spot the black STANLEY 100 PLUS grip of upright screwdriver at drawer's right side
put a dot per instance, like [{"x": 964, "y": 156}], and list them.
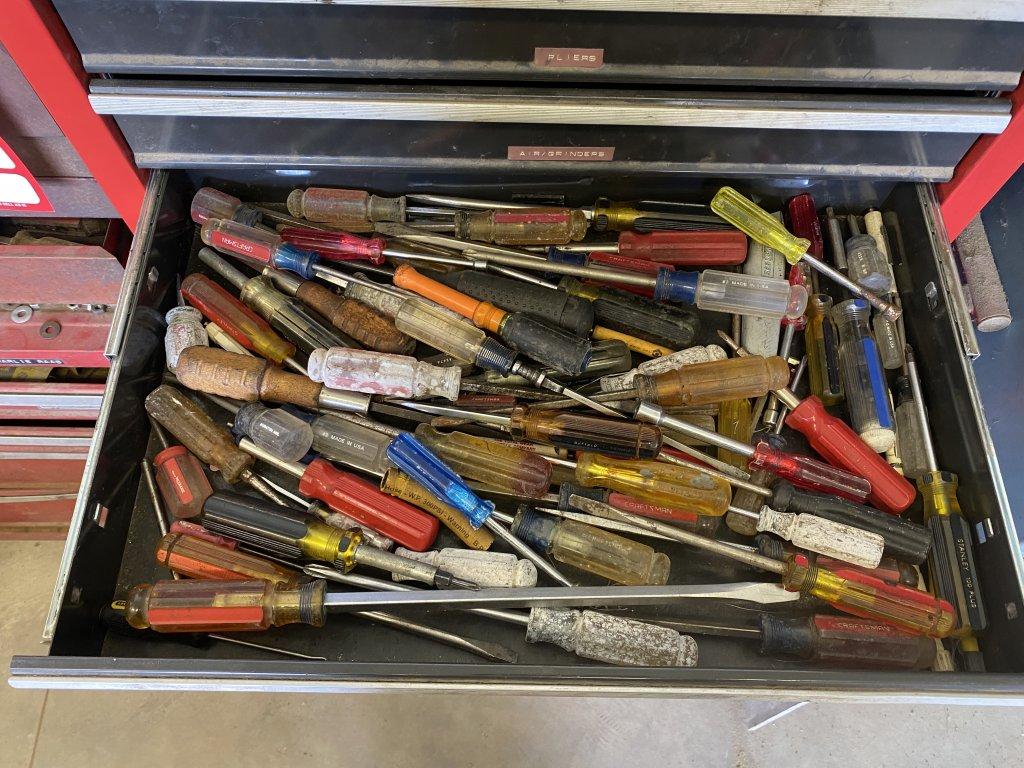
[{"x": 951, "y": 567}]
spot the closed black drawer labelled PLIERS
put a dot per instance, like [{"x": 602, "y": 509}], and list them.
[{"x": 950, "y": 46}]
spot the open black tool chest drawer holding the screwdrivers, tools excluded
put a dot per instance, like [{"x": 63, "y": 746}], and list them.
[{"x": 112, "y": 546}]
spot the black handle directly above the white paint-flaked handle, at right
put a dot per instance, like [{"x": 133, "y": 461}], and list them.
[{"x": 905, "y": 540}]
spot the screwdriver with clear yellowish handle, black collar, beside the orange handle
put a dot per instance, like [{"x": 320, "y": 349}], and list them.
[{"x": 434, "y": 326}]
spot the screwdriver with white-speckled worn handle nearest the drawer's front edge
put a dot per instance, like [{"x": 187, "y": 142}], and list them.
[{"x": 600, "y": 637}]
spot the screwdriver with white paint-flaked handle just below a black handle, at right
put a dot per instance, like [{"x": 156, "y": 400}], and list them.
[{"x": 806, "y": 532}]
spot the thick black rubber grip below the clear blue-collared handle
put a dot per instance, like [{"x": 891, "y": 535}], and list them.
[{"x": 663, "y": 324}]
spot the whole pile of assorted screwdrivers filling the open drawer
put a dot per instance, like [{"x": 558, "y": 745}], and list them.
[{"x": 568, "y": 407}]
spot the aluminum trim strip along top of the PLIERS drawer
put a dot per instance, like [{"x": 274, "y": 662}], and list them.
[{"x": 998, "y": 11}]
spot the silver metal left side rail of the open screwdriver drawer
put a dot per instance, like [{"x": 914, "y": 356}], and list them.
[{"x": 135, "y": 270}]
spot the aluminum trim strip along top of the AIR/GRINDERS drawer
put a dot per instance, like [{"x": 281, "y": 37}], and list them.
[{"x": 864, "y": 114}]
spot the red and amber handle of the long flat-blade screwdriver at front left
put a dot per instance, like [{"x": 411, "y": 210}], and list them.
[{"x": 197, "y": 606}]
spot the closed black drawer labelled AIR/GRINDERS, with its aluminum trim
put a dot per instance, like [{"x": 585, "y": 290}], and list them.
[{"x": 481, "y": 132}]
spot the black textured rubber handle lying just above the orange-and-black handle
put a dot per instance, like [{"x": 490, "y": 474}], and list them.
[{"x": 571, "y": 313}]
